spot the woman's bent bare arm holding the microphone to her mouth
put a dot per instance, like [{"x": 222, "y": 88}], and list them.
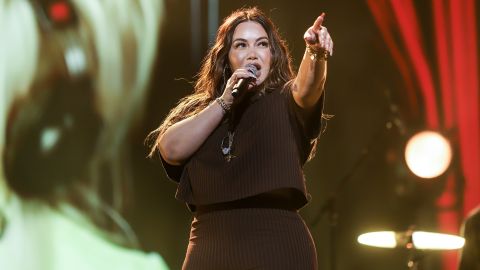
[{"x": 184, "y": 138}]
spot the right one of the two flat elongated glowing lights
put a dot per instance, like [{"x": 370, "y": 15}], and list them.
[{"x": 428, "y": 240}]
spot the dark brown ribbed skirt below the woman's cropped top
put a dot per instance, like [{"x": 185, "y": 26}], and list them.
[{"x": 250, "y": 238}]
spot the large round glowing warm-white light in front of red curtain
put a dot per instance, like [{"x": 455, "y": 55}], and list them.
[{"x": 428, "y": 154}]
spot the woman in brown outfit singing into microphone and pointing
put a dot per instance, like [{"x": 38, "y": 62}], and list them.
[{"x": 238, "y": 159}]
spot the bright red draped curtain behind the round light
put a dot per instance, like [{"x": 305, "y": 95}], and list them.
[{"x": 454, "y": 106}]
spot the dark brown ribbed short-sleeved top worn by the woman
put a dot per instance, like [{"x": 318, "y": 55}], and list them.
[{"x": 272, "y": 141}]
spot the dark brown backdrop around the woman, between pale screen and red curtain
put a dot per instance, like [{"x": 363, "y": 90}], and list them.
[{"x": 359, "y": 160}]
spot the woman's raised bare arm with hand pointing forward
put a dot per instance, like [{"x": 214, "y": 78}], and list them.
[{"x": 309, "y": 83}]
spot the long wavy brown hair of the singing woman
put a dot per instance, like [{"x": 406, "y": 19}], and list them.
[{"x": 215, "y": 69}]
